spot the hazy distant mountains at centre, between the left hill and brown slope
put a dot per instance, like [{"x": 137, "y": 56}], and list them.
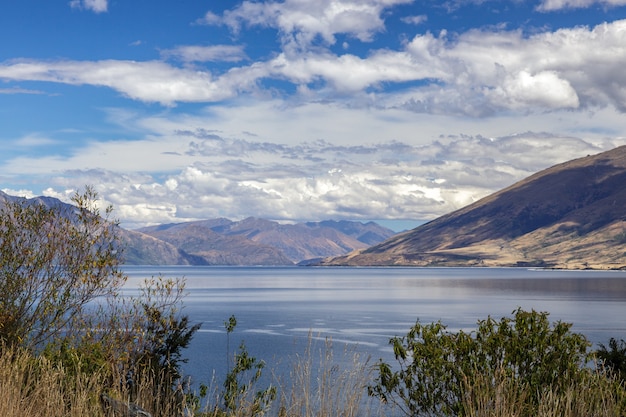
[{"x": 254, "y": 241}]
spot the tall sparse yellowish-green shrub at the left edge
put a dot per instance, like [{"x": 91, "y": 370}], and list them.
[{"x": 54, "y": 260}]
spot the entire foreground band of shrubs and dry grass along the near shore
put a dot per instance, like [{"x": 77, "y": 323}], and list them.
[{"x": 72, "y": 346}]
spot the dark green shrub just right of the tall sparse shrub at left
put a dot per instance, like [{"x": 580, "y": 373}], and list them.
[{"x": 153, "y": 335}]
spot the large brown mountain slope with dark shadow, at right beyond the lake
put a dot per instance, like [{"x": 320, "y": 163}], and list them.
[{"x": 572, "y": 215}]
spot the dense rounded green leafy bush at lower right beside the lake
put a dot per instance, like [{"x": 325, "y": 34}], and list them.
[{"x": 437, "y": 366}]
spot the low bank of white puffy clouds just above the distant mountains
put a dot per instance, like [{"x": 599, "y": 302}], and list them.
[{"x": 377, "y": 181}]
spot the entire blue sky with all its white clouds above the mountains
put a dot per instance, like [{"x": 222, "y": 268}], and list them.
[{"x": 298, "y": 110}]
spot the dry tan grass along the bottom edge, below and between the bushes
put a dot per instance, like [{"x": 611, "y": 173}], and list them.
[{"x": 317, "y": 386}]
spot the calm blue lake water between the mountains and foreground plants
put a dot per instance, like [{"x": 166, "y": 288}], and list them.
[{"x": 361, "y": 308}]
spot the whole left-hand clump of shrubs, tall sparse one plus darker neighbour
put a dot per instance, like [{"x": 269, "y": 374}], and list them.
[{"x": 60, "y": 300}]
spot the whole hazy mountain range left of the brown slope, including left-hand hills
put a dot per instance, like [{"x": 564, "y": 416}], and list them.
[{"x": 251, "y": 241}]
